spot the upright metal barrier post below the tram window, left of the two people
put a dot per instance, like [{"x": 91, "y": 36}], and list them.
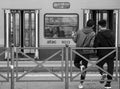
[{"x": 66, "y": 68}]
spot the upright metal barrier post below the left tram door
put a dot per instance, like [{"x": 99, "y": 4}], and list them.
[{"x": 12, "y": 67}]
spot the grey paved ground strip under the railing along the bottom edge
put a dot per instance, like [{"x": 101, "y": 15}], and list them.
[{"x": 56, "y": 85}]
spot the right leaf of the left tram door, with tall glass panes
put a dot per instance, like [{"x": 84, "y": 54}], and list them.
[{"x": 29, "y": 32}]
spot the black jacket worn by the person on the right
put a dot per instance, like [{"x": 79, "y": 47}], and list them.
[{"x": 104, "y": 38}]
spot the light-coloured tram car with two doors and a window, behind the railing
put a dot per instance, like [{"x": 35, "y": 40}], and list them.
[{"x": 51, "y": 23}]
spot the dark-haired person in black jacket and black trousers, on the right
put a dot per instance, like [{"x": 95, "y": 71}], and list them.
[{"x": 105, "y": 38}]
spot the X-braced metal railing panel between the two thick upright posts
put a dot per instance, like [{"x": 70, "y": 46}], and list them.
[{"x": 38, "y": 64}]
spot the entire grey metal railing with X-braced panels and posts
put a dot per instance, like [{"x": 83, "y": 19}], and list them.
[{"x": 66, "y": 75}]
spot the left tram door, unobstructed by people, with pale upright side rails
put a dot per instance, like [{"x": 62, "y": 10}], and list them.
[{"x": 21, "y": 29}]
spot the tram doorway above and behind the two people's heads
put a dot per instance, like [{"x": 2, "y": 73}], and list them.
[{"x": 109, "y": 15}]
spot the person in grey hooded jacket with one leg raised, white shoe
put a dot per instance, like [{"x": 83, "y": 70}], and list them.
[{"x": 84, "y": 38}]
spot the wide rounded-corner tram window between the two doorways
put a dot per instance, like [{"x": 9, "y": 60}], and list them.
[{"x": 60, "y": 25}]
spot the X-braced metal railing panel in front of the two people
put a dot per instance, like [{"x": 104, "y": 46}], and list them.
[{"x": 73, "y": 50}]
